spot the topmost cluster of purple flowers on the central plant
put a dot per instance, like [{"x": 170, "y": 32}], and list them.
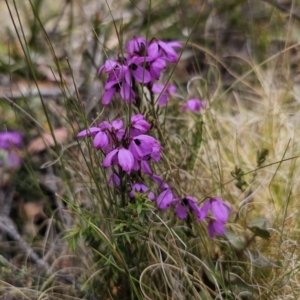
[{"x": 142, "y": 62}]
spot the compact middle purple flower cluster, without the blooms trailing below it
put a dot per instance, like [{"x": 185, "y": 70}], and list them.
[{"x": 130, "y": 148}]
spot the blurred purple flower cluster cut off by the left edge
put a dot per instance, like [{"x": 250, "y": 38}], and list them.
[{"x": 9, "y": 141}]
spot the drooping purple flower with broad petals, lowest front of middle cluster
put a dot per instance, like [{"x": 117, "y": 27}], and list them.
[{"x": 121, "y": 157}]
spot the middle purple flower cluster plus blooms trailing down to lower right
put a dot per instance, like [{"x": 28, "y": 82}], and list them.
[{"x": 129, "y": 149}]
